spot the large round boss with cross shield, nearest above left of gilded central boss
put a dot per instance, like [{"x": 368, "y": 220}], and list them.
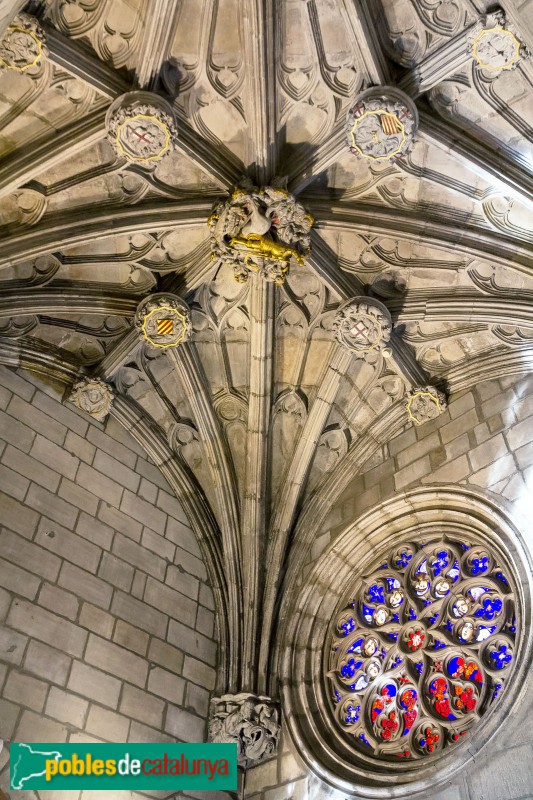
[{"x": 141, "y": 127}]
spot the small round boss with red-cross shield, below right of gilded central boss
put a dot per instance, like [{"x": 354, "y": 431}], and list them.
[{"x": 363, "y": 325}]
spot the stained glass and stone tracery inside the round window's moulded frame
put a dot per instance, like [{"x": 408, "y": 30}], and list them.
[{"x": 423, "y": 649}]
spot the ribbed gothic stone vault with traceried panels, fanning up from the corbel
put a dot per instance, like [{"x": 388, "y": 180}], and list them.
[{"x": 261, "y": 411}]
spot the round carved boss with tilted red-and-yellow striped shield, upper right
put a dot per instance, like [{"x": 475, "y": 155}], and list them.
[{"x": 381, "y": 124}]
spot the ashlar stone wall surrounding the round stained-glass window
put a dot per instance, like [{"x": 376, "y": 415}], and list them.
[{"x": 484, "y": 440}]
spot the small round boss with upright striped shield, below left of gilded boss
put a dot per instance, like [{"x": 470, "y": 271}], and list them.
[{"x": 163, "y": 320}]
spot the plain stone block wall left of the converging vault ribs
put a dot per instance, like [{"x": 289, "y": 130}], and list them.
[{"x": 107, "y": 616}]
